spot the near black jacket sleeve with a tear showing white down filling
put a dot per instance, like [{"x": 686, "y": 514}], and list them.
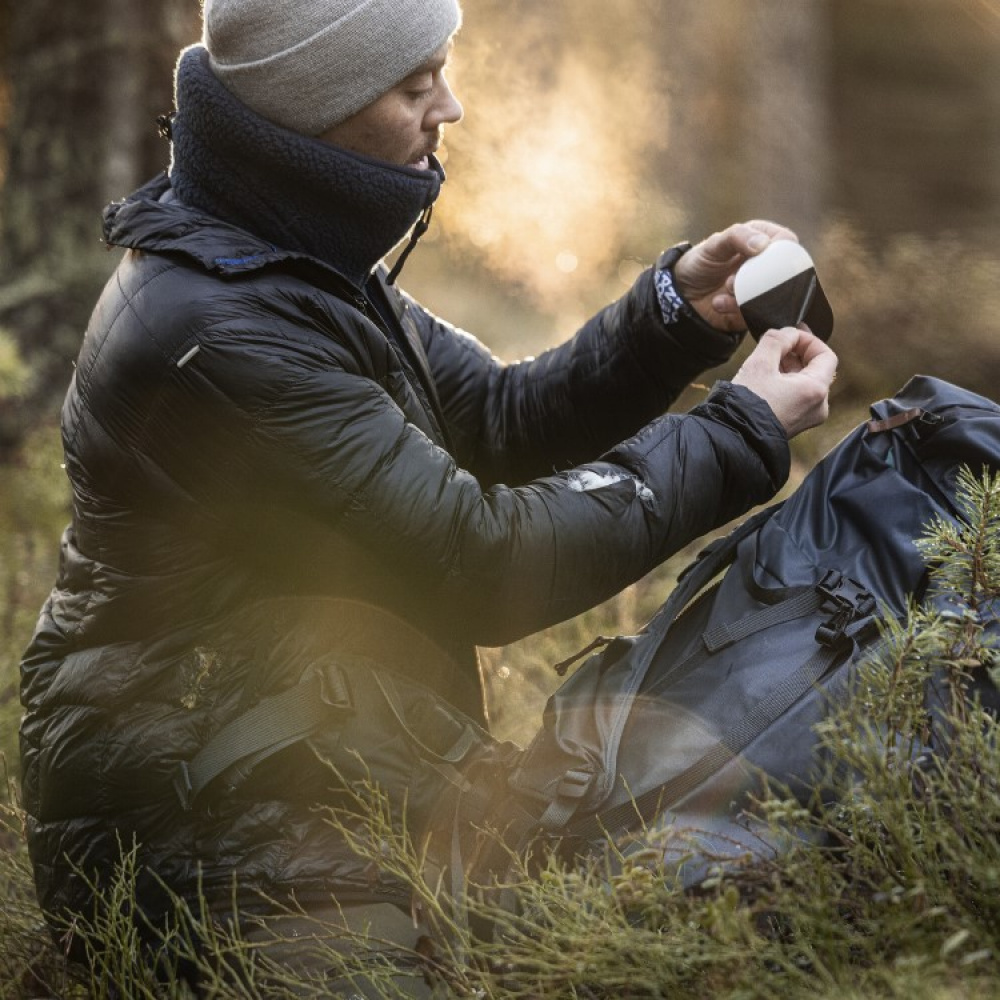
[{"x": 490, "y": 563}]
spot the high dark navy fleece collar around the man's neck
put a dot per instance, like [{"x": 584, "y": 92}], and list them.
[{"x": 290, "y": 191}]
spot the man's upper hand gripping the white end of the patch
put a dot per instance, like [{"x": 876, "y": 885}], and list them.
[{"x": 704, "y": 275}]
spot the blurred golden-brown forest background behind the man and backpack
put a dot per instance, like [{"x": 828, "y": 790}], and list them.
[{"x": 596, "y": 134}]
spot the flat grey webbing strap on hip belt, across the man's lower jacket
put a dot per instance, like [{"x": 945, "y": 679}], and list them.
[{"x": 271, "y": 725}]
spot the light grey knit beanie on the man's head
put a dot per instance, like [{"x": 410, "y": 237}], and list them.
[{"x": 309, "y": 64}]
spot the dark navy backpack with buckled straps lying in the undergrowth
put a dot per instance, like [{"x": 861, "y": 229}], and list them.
[{"x": 679, "y": 726}]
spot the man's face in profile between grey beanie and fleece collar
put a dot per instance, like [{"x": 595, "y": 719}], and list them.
[{"x": 404, "y": 126}]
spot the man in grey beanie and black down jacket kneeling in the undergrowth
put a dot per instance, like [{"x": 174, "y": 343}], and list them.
[{"x": 266, "y": 439}]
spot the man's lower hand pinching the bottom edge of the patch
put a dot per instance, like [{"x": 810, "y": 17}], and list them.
[{"x": 791, "y": 370}]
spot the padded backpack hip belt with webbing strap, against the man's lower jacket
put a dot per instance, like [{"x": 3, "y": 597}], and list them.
[{"x": 337, "y": 643}]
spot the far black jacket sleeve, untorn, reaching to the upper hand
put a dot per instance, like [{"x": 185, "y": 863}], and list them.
[{"x": 512, "y": 422}]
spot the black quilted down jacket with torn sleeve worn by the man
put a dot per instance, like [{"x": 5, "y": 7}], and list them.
[{"x": 242, "y": 425}]
